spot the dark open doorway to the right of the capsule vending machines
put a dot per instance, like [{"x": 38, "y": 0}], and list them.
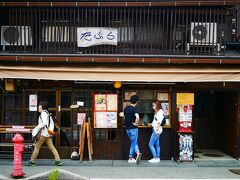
[{"x": 215, "y": 125}]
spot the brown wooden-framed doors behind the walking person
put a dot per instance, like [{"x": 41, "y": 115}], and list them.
[{"x": 59, "y": 105}]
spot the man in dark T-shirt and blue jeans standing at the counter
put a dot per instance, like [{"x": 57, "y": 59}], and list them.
[{"x": 131, "y": 118}]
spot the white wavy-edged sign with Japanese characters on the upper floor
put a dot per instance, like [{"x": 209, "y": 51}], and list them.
[{"x": 96, "y": 36}]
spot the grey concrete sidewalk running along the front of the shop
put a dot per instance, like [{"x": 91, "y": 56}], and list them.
[{"x": 121, "y": 169}]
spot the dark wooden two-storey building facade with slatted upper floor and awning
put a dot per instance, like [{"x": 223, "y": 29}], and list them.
[{"x": 159, "y": 47}]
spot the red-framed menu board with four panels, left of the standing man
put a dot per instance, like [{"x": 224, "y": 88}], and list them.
[{"x": 105, "y": 110}]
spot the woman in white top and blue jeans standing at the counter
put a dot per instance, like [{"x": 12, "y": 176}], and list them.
[{"x": 154, "y": 142}]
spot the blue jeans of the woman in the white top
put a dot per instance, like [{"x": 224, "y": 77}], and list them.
[{"x": 155, "y": 141}]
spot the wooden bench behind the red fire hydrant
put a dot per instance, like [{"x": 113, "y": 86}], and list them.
[{"x": 7, "y": 147}]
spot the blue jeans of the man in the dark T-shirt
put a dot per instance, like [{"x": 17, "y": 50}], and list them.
[{"x": 133, "y": 136}]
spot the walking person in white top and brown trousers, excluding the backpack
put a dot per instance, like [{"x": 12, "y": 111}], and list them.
[{"x": 45, "y": 137}]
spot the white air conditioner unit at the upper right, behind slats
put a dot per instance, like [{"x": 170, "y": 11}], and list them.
[{"x": 203, "y": 33}]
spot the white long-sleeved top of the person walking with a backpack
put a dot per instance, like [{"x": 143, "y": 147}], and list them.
[{"x": 42, "y": 122}]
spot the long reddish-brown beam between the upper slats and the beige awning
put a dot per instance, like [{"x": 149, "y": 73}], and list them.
[{"x": 116, "y": 60}]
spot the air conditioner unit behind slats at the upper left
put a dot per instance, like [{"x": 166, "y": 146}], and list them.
[{"x": 16, "y": 35}]
